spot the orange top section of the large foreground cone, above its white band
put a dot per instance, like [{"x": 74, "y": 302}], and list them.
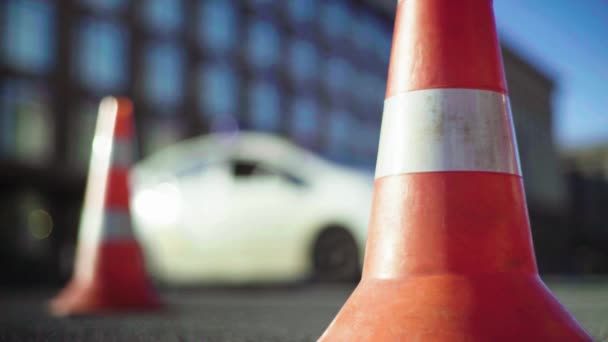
[{"x": 445, "y": 44}]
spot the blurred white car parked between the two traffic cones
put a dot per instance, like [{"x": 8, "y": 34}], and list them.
[{"x": 249, "y": 208}]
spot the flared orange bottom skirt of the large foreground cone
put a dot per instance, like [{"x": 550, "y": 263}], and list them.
[{"x": 496, "y": 307}]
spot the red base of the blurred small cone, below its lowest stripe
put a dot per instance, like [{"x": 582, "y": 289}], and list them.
[{"x": 119, "y": 283}]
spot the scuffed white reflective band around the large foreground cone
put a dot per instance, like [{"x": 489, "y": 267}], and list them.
[{"x": 447, "y": 130}]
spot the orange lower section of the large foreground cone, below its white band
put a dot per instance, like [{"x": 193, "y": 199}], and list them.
[{"x": 449, "y": 258}]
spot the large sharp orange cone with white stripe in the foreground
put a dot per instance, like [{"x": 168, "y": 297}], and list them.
[{"x": 449, "y": 254}]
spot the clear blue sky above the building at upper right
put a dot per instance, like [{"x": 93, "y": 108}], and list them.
[{"x": 568, "y": 41}]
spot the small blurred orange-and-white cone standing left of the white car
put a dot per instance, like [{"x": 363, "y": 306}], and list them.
[{"x": 109, "y": 272}]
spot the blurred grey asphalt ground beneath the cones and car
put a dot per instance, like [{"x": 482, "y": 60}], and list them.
[{"x": 259, "y": 314}]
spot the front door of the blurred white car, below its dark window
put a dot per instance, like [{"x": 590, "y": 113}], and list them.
[{"x": 266, "y": 206}]
